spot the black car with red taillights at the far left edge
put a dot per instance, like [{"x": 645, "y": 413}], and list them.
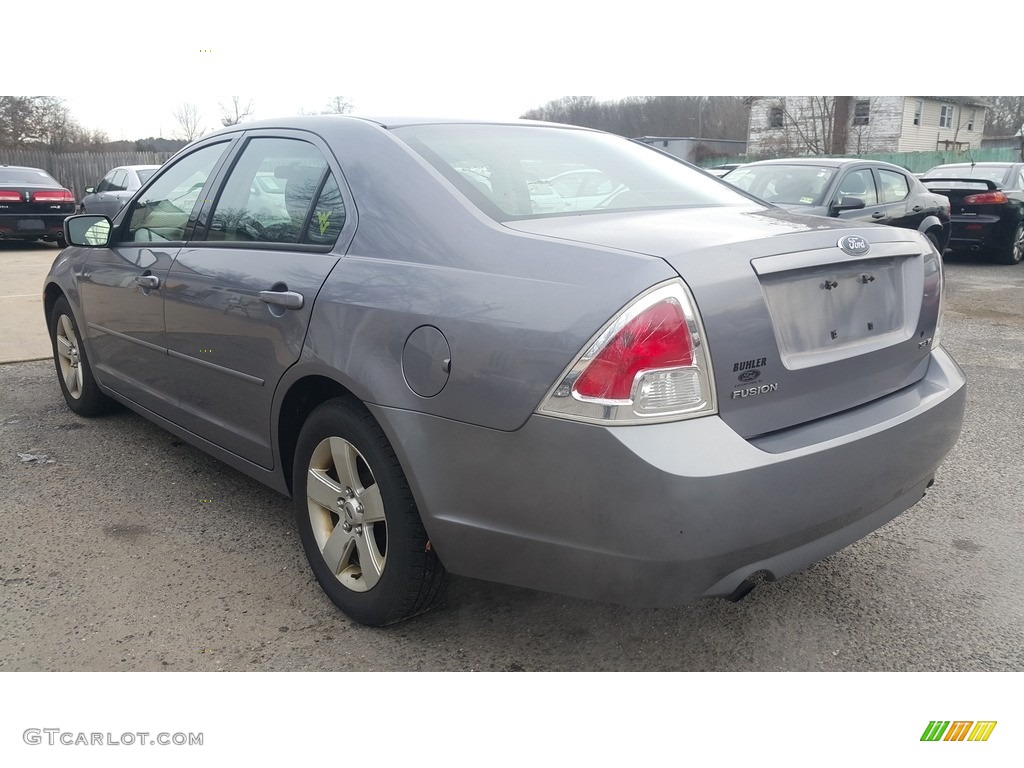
[{"x": 33, "y": 205}]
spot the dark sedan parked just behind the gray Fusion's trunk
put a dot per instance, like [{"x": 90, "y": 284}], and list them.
[{"x": 856, "y": 190}]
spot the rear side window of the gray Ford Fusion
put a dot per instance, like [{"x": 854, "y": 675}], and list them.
[{"x": 281, "y": 191}]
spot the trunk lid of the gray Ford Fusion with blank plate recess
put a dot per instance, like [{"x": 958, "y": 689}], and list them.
[{"x": 804, "y": 317}]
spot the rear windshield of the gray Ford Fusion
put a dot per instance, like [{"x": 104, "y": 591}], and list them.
[{"x": 517, "y": 173}]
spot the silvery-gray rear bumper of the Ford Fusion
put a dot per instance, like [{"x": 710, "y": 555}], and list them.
[{"x": 663, "y": 515}]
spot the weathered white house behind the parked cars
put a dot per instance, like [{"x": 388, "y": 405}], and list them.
[{"x": 860, "y": 125}]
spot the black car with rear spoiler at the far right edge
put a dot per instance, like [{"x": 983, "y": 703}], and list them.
[{"x": 988, "y": 202}]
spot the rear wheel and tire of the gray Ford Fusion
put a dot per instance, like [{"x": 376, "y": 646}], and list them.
[{"x": 358, "y": 521}]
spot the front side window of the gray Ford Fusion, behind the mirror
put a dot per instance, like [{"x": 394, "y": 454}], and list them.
[{"x": 163, "y": 212}]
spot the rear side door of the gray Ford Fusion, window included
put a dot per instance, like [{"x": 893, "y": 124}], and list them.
[{"x": 240, "y": 296}]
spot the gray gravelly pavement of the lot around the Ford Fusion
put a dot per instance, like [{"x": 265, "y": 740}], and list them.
[{"x": 122, "y": 548}]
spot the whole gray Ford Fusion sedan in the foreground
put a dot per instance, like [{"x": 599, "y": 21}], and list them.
[{"x": 648, "y": 400}]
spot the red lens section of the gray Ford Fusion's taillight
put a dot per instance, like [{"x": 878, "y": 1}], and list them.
[{"x": 657, "y": 338}]
